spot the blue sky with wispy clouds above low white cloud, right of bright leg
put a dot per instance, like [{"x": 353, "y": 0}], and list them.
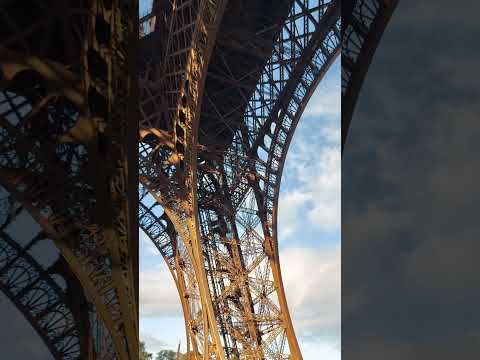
[{"x": 310, "y": 196}]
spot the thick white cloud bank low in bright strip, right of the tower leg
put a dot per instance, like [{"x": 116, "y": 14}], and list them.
[{"x": 312, "y": 286}]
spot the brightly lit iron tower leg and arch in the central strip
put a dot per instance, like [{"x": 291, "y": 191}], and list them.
[{"x": 222, "y": 88}]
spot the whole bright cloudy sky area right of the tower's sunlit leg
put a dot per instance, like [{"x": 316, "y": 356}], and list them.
[{"x": 309, "y": 213}]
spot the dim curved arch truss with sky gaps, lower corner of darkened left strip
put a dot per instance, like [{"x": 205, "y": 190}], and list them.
[{"x": 50, "y": 297}]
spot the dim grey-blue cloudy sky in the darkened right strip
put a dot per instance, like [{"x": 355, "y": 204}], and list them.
[{"x": 410, "y": 169}]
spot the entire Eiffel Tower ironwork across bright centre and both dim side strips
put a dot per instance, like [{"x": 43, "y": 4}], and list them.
[{"x": 222, "y": 86}]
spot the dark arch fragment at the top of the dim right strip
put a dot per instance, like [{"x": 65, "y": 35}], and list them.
[{"x": 364, "y": 22}]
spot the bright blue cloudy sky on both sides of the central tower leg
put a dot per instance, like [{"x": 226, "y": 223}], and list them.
[{"x": 309, "y": 239}]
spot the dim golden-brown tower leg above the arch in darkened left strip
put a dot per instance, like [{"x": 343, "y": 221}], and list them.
[{"x": 64, "y": 110}]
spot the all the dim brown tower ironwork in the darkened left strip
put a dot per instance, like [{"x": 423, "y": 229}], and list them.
[{"x": 66, "y": 76}]
